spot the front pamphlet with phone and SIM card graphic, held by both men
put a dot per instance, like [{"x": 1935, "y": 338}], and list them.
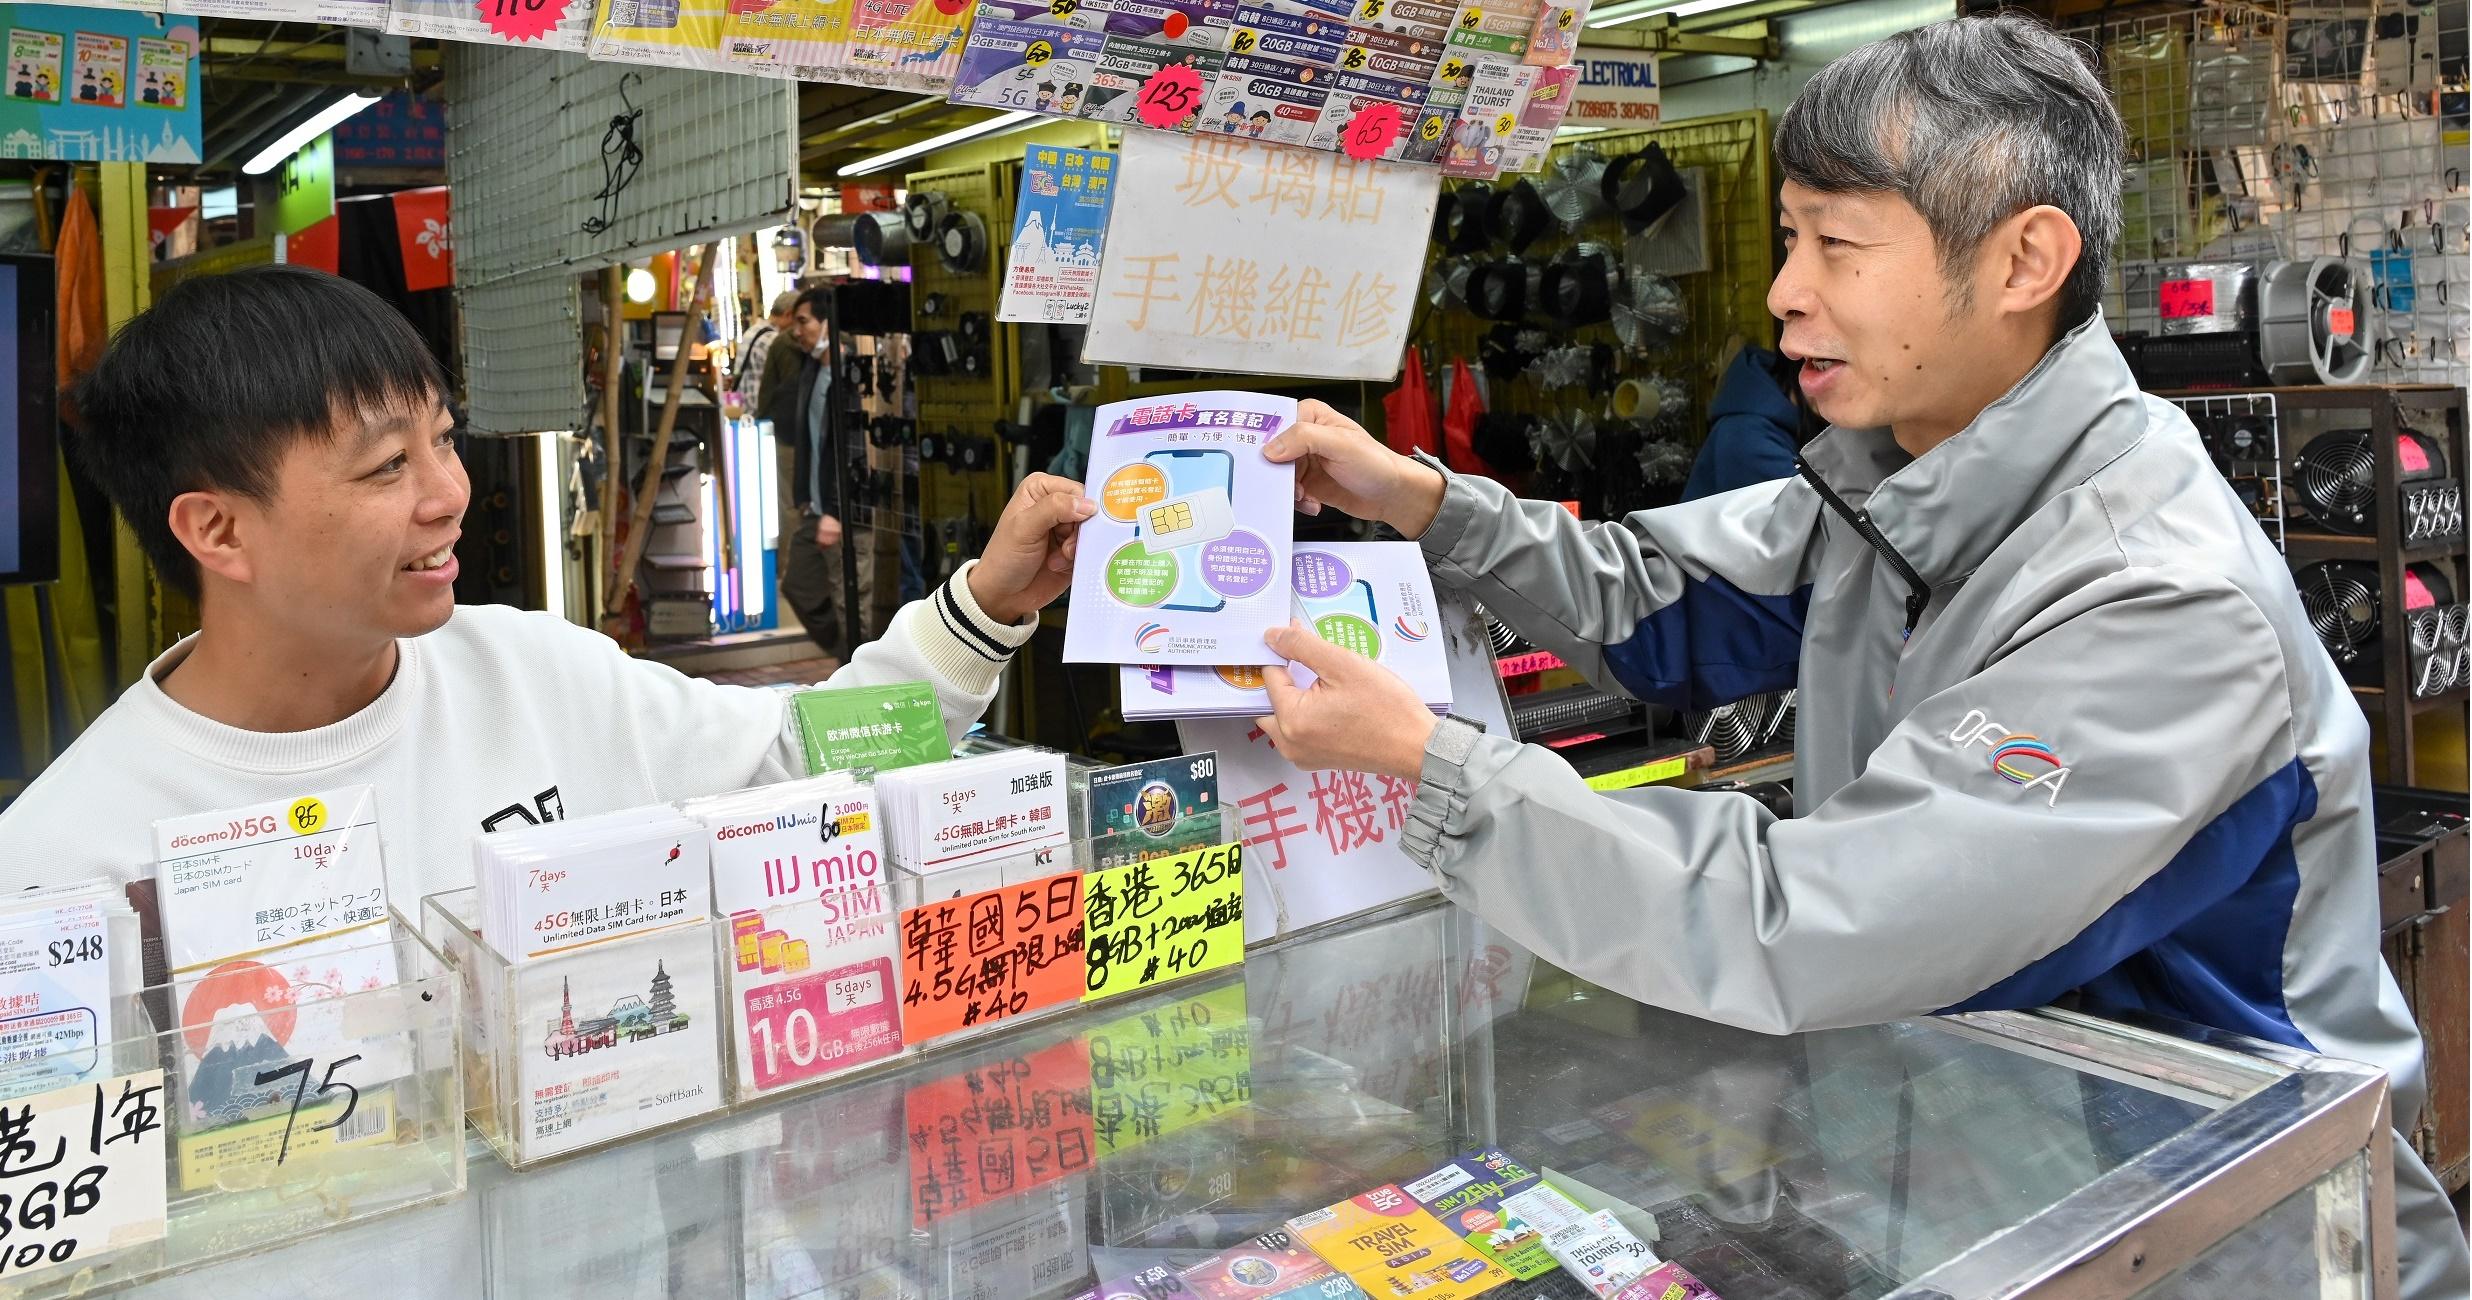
[{"x": 1188, "y": 555}]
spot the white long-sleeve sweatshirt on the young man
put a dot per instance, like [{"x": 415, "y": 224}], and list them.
[{"x": 496, "y": 718}]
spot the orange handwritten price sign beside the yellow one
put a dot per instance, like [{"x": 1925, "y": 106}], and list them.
[{"x": 993, "y": 955}]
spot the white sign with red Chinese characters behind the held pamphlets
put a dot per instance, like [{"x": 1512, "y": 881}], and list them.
[{"x": 1326, "y": 844}]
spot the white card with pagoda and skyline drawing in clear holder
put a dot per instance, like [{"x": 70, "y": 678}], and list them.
[{"x": 614, "y": 1039}]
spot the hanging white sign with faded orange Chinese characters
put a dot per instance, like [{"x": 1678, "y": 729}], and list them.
[{"x": 1250, "y": 258}]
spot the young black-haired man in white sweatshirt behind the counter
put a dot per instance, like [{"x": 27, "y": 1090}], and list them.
[{"x": 283, "y": 446}]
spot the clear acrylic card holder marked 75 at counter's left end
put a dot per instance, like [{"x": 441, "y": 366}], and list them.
[{"x": 286, "y": 1108}]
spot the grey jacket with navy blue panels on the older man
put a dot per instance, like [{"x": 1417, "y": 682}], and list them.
[{"x": 2110, "y": 760}]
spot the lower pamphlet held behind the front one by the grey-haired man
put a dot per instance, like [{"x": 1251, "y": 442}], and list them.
[{"x": 1371, "y": 597}]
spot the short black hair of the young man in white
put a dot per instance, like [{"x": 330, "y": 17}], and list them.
[{"x": 221, "y": 377}]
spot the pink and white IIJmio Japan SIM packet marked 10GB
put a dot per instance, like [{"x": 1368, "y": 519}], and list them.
[{"x": 800, "y": 879}]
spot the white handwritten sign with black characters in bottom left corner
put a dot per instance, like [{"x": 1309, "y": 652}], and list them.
[{"x": 80, "y": 1173}]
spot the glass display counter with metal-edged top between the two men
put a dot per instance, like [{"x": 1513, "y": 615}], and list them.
[{"x": 1949, "y": 1158}]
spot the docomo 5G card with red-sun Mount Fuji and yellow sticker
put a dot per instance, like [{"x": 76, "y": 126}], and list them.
[{"x": 276, "y": 918}]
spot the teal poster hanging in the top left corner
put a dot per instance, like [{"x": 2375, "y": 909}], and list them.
[{"x": 98, "y": 88}]
